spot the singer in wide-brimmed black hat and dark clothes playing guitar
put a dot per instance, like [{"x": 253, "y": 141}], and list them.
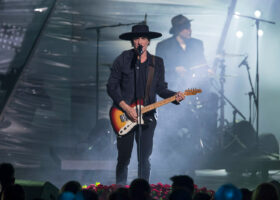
[{"x": 128, "y": 82}]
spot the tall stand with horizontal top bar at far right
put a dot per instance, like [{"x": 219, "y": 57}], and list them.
[{"x": 257, "y": 21}]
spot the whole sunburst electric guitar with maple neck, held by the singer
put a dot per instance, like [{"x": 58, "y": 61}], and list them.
[{"x": 122, "y": 124}]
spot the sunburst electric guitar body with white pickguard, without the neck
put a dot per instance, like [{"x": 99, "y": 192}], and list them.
[{"x": 120, "y": 122}]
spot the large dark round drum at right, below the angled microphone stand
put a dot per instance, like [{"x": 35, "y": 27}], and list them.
[{"x": 240, "y": 139}]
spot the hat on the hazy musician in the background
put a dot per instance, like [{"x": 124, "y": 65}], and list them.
[{"x": 179, "y": 22}]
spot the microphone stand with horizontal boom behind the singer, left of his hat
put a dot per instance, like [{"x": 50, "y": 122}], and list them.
[{"x": 98, "y": 28}]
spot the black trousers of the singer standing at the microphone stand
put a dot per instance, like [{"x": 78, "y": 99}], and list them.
[{"x": 125, "y": 146}]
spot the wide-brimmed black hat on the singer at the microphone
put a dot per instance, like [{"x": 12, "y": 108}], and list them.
[{"x": 139, "y": 31}]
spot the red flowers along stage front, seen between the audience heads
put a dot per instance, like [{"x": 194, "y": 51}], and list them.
[{"x": 159, "y": 191}]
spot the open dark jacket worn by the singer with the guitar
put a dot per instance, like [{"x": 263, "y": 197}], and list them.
[{"x": 121, "y": 83}]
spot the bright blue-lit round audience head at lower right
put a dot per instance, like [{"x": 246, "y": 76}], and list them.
[{"x": 228, "y": 192}]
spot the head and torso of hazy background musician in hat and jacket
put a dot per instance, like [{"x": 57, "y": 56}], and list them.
[{"x": 181, "y": 53}]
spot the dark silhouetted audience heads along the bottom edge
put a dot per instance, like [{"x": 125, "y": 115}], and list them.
[{"x": 182, "y": 188}]
